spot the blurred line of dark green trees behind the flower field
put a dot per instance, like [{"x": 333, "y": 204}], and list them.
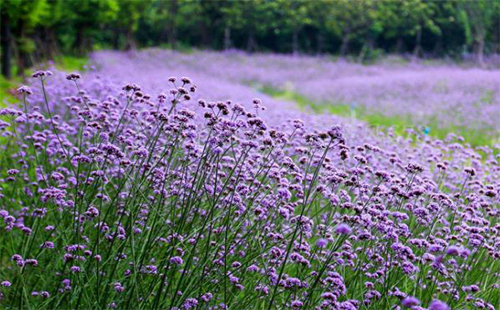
[{"x": 37, "y": 30}]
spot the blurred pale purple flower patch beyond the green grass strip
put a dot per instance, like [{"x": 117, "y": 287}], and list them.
[{"x": 447, "y": 95}]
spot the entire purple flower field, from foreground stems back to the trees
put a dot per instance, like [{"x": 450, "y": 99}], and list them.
[{"x": 163, "y": 180}]
